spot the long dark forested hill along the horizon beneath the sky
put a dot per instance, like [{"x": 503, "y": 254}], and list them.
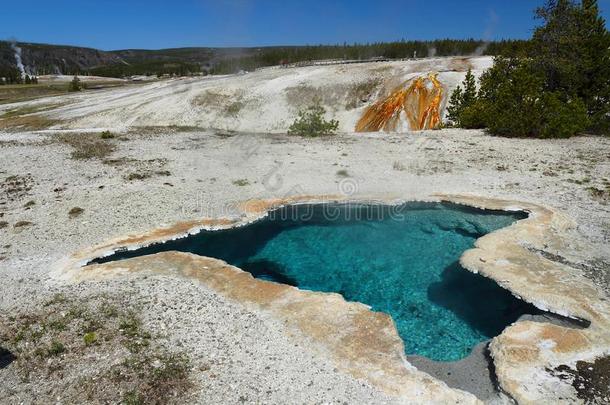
[{"x": 38, "y": 59}]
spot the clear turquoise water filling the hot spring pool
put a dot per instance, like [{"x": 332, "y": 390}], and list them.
[{"x": 399, "y": 260}]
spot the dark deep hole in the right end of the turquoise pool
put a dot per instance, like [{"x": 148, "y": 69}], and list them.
[{"x": 478, "y": 301}]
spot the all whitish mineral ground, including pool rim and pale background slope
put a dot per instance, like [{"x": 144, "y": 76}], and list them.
[{"x": 268, "y": 342}]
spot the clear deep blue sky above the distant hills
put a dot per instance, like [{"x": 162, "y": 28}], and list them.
[{"x": 153, "y": 24}]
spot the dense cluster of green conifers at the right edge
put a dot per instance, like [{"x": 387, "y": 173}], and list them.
[{"x": 561, "y": 89}]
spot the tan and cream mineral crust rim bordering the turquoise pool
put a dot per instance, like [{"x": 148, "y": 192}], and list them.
[{"x": 521, "y": 353}]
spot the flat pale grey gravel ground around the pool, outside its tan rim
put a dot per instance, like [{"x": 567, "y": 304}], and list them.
[{"x": 155, "y": 179}]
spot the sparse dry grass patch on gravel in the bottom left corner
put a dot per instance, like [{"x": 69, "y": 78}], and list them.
[{"x": 95, "y": 350}]
